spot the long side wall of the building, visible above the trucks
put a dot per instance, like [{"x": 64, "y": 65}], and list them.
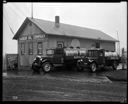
[{"x": 84, "y": 43}]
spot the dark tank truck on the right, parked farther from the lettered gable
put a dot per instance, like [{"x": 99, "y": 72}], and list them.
[{"x": 99, "y": 58}]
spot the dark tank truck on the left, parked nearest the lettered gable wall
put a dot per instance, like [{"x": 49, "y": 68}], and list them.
[{"x": 64, "y": 57}]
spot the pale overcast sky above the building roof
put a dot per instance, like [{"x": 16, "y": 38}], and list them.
[{"x": 110, "y": 18}]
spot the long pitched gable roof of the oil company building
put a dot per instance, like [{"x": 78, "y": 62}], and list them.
[{"x": 66, "y": 30}]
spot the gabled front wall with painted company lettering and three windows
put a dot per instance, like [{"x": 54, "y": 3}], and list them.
[{"x": 26, "y": 59}]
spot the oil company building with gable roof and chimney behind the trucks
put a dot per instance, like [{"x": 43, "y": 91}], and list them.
[{"x": 36, "y": 35}]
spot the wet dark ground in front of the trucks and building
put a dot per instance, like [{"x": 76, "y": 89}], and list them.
[{"x": 62, "y": 86}]
